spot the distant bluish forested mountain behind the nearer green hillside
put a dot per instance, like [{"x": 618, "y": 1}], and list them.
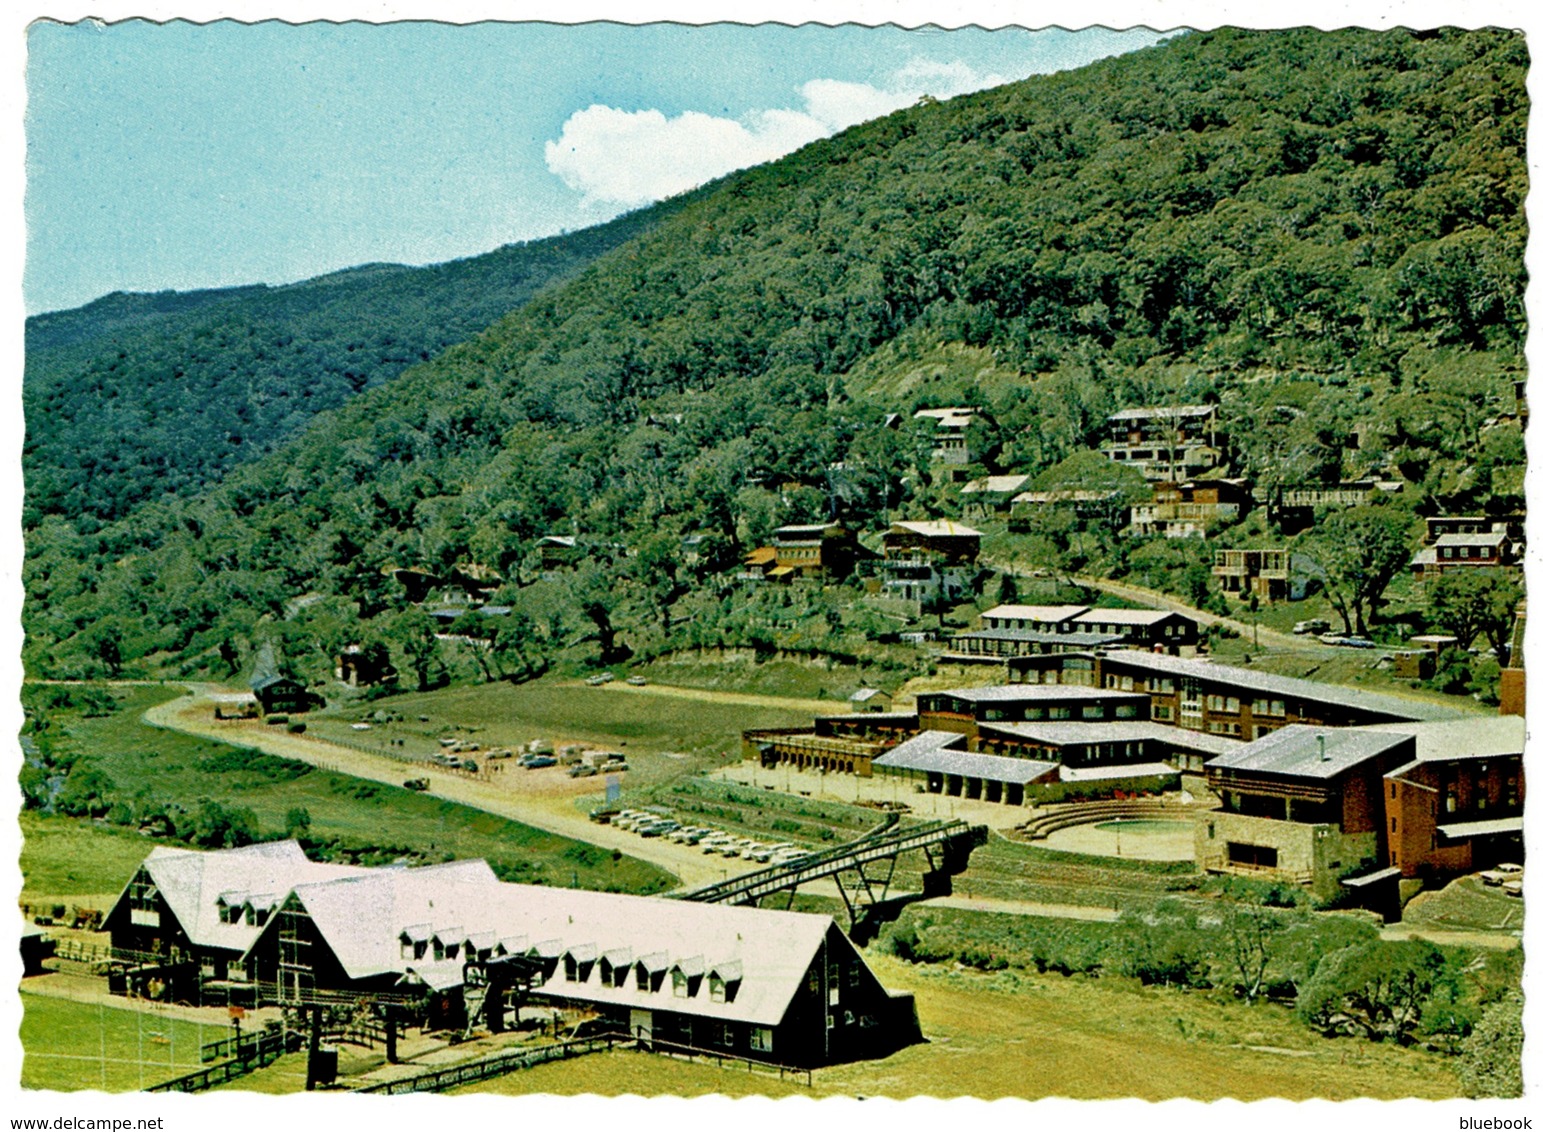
[{"x": 137, "y": 396}]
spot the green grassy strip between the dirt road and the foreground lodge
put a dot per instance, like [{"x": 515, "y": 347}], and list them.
[{"x": 370, "y": 821}]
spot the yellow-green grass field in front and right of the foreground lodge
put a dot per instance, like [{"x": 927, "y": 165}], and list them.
[{"x": 1015, "y": 1036}]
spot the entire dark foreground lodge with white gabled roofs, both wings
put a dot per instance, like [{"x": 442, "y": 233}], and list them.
[{"x": 263, "y": 925}]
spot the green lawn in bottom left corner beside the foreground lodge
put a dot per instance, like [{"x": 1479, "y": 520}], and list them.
[{"x": 106, "y": 1046}]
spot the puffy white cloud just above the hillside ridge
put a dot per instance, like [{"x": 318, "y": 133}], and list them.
[{"x": 633, "y": 158}]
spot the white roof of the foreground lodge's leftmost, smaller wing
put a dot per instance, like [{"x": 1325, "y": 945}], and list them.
[{"x": 192, "y": 884}]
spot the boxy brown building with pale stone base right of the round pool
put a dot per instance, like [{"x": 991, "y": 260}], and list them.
[{"x": 1305, "y": 804}]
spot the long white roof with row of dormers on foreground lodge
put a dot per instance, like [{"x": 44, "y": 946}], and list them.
[{"x": 363, "y": 920}]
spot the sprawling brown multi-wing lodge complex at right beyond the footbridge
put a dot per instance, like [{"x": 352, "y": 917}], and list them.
[{"x": 1318, "y": 784}]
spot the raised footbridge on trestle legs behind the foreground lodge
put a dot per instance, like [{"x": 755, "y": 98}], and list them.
[{"x": 863, "y": 871}]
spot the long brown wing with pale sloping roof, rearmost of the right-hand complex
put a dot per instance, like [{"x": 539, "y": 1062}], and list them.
[{"x": 1221, "y": 699}]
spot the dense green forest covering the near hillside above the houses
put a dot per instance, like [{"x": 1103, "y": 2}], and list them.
[{"x": 1323, "y": 234}]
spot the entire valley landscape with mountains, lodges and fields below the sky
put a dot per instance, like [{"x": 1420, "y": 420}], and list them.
[{"x": 1036, "y": 573}]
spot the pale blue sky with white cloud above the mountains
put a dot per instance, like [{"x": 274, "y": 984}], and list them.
[{"x": 180, "y": 155}]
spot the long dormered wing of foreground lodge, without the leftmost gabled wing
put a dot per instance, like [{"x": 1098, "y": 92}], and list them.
[{"x": 777, "y": 986}]
